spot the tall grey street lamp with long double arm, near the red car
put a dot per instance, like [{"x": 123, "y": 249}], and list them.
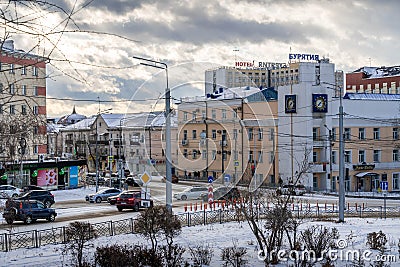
[{"x": 168, "y": 184}]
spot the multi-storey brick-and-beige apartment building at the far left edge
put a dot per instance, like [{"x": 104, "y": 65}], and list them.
[{"x": 22, "y": 104}]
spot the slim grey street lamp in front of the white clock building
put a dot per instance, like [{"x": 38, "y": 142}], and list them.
[{"x": 341, "y": 156}]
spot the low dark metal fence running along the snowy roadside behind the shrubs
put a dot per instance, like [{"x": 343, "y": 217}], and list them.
[{"x": 38, "y": 238}]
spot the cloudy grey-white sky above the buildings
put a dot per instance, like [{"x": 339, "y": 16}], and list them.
[{"x": 92, "y": 59}]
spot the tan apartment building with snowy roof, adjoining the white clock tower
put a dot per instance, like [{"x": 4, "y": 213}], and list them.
[{"x": 230, "y": 137}]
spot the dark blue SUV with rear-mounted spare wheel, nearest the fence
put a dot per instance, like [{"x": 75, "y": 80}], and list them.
[{"x": 27, "y": 211}]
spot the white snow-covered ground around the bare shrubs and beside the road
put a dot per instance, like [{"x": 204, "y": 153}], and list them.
[{"x": 353, "y": 233}]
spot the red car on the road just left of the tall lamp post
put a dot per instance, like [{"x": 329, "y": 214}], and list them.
[{"x": 132, "y": 200}]
